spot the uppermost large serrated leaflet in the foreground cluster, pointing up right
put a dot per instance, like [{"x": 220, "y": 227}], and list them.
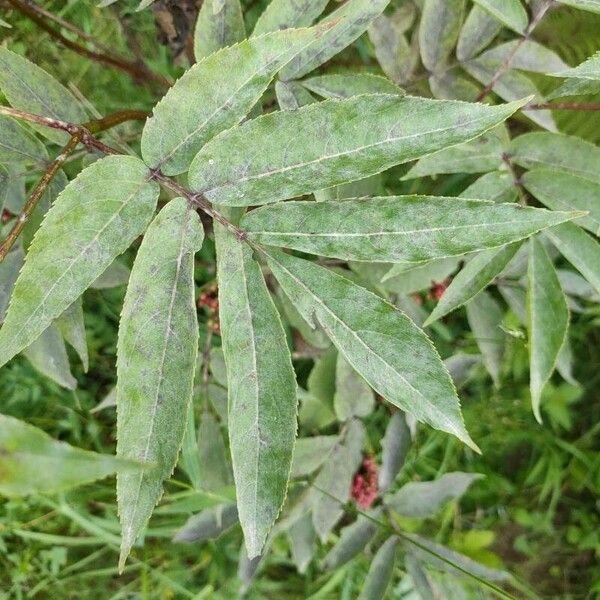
[{"x": 214, "y": 95}]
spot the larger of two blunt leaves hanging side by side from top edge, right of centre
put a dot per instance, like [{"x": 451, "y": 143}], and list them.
[{"x": 441, "y": 21}]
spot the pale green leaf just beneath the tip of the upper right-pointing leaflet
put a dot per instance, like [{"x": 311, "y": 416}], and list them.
[{"x": 480, "y": 155}]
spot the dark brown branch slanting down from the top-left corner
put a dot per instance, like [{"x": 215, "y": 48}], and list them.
[{"x": 139, "y": 72}]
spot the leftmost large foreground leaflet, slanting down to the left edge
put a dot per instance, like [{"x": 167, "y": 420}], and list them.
[{"x": 93, "y": 220}]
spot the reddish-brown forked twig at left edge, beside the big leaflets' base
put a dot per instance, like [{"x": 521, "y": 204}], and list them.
[{"x": 78, "y": 134}]
